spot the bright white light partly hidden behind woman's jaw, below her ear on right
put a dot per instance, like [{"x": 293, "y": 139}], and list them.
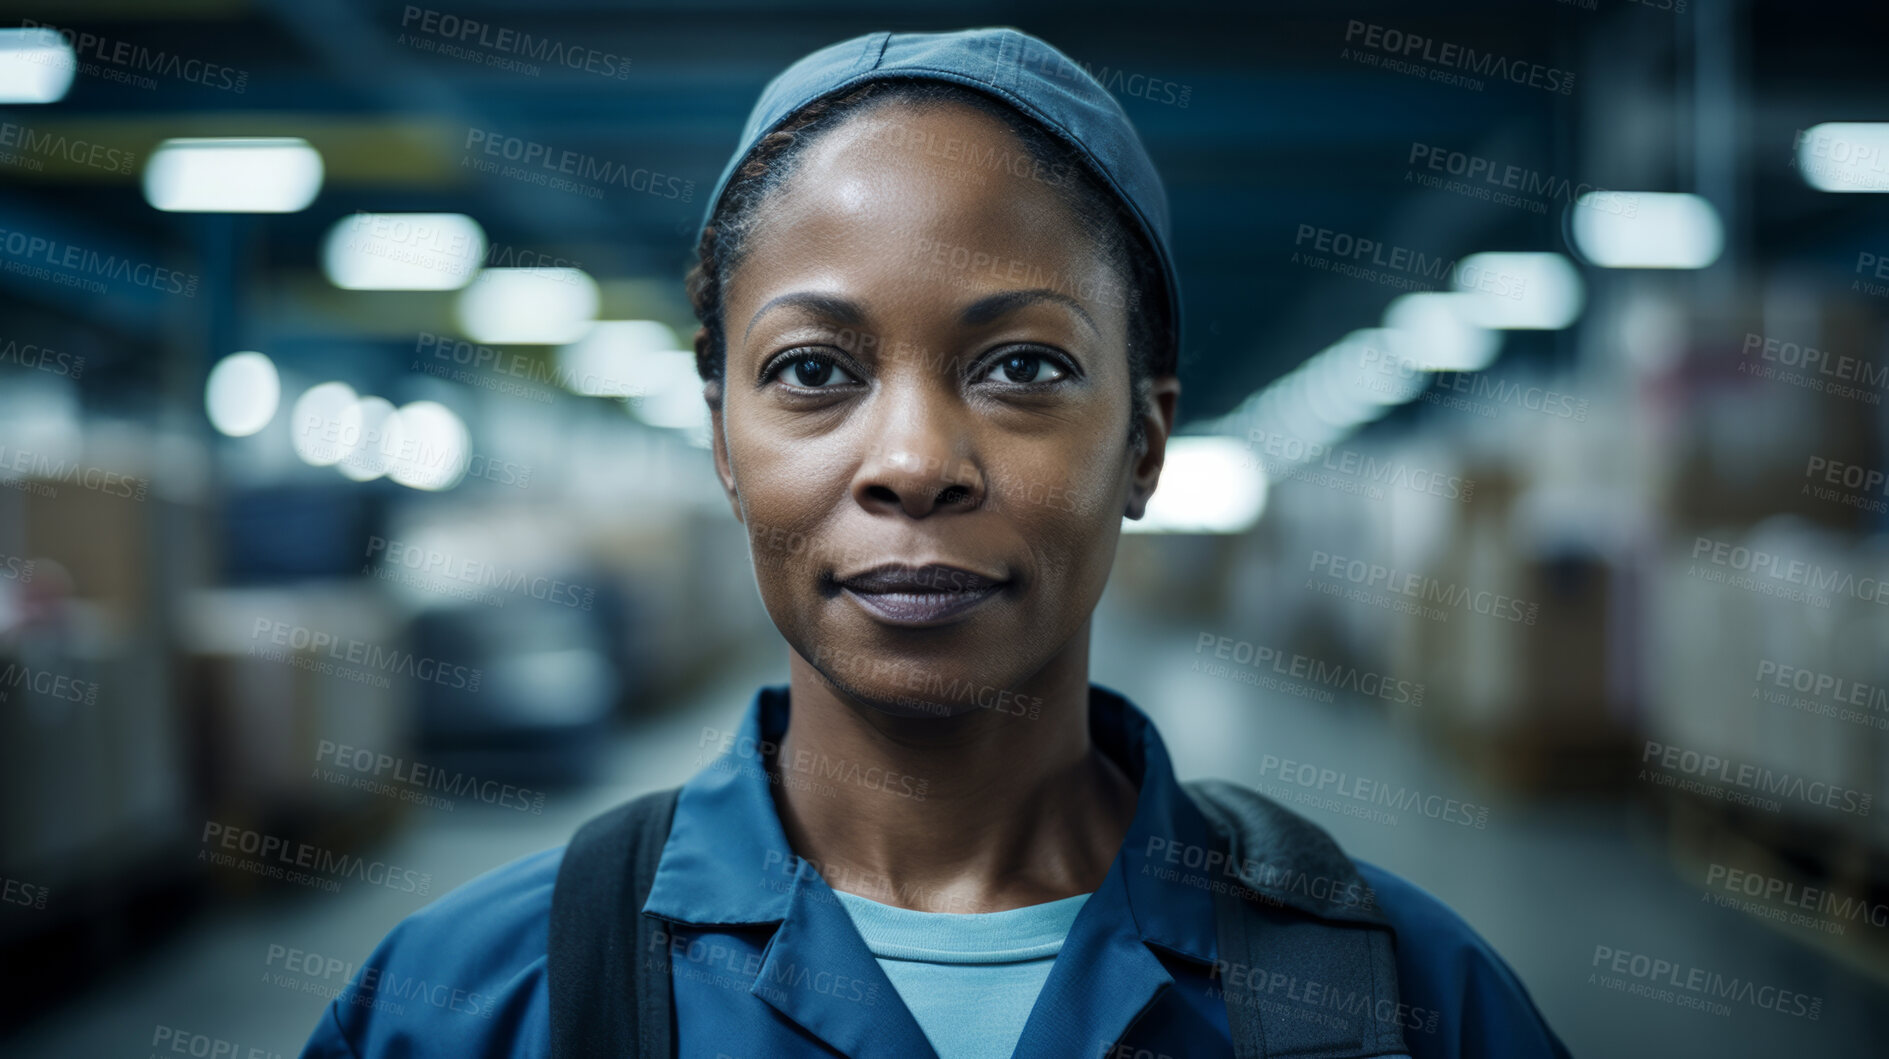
[{"x": 1210, "y": 484}]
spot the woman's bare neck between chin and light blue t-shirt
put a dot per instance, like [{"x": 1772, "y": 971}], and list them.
[{"x": 976, "y": 813}]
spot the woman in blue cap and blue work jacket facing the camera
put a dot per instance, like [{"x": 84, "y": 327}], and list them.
[{"x": 938, "y": 346}]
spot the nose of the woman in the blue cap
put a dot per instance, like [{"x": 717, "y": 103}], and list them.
[{"x": 919, "y": 463}]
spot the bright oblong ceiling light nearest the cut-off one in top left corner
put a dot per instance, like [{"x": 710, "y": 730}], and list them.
[{"x": 233, "y": 176}]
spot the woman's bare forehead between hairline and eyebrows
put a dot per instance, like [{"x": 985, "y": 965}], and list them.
[{"x": 932, "y": 201}]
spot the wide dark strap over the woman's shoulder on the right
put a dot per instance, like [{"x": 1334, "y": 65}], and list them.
[{"x": 1308, "y": 964}]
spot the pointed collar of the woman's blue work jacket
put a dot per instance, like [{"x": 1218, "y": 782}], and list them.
[{"x": 728, "y": 860}]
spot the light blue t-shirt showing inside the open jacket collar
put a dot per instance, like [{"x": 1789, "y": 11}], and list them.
[{"x": 970, "y": 979}]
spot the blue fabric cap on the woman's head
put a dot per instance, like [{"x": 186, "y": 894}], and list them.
[{"x": 1019, "y": 71}]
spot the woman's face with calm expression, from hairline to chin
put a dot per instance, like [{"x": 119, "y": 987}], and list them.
[{"x": 925, "y": 418}]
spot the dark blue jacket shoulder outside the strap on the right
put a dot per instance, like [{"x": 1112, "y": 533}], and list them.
[{"x": 1463, "y": 994}]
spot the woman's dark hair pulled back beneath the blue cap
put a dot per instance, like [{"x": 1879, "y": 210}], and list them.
[{"x": 1098, "y": 210}]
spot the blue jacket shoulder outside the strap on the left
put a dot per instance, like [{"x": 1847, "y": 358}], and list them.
[{"x": 460, "y": 977}]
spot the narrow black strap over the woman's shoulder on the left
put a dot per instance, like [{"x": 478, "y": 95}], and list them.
[{"x": 602, "y": 945}]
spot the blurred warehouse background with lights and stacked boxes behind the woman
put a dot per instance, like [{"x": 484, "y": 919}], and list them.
[{"x": 1533, "y": 477}]
